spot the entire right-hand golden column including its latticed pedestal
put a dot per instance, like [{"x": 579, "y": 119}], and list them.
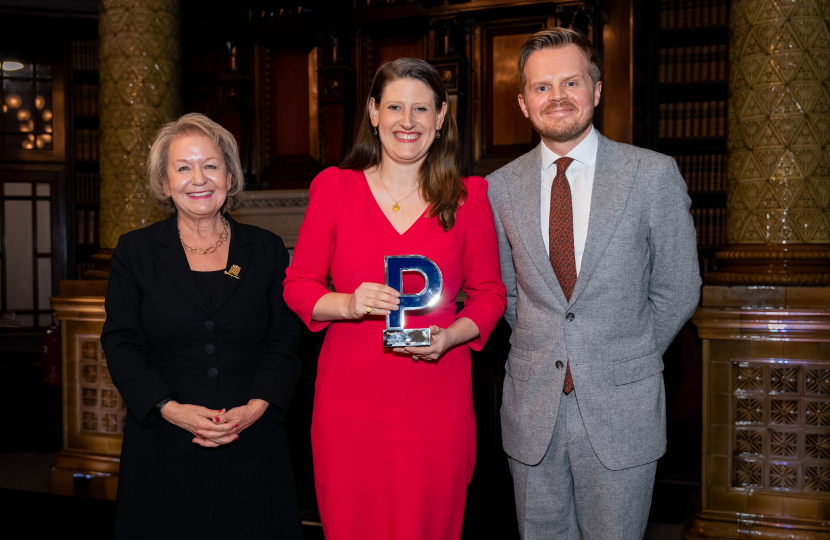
[{"x": 766, "y": 349}]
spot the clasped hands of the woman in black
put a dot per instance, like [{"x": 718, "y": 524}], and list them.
[{"x": 213, "y": 428}]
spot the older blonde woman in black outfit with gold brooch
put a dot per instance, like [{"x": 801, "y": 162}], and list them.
[{"x": 202, "y": 348}]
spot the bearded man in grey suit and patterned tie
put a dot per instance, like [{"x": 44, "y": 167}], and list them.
[{"x": 598, "y": 254}]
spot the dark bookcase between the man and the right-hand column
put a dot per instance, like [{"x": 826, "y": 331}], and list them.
[{"x": 680, "y": 100}]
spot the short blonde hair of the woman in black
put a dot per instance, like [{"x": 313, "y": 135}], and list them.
[{"x": 193, "y": 124}]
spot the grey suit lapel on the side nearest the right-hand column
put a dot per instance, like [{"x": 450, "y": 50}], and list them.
[{"x": 613, "y": 177}]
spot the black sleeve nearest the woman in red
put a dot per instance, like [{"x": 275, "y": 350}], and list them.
[{"x": 280, "y": 368}]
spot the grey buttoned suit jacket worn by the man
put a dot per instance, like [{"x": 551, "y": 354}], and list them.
[{"x": 638, "y": 283}]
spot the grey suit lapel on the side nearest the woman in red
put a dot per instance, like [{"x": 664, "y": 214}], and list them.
[{"x": 527, "y": 201}]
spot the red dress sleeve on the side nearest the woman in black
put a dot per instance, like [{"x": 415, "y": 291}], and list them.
[{"x": 306, "y": 278}]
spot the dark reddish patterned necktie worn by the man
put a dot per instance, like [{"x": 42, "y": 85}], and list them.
[{"x": 561, "y": 230}]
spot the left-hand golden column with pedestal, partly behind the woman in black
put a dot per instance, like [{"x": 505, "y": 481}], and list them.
[{"x": 140, "y": 90}]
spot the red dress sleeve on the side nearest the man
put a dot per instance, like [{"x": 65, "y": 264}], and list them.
[{"x": 486, "y": 300}]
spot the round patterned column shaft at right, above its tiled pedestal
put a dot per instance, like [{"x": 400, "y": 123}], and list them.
[{"x": 779, "y": 162}]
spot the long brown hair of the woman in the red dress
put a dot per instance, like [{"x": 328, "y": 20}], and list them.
[{"x": 440, "y": 174}]
